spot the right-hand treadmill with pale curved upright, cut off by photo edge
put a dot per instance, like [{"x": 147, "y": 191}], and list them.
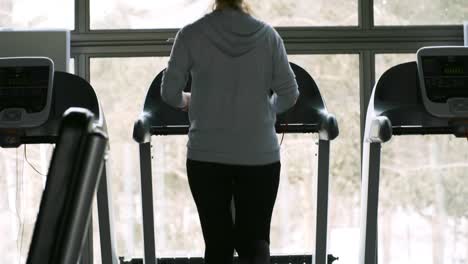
[{"x": 427, "y": 97}]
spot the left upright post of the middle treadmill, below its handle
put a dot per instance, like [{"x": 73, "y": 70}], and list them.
[{"x": 147, "y": 204}]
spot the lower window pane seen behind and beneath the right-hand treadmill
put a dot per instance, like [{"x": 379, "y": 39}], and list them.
[{"x": 423, "y": 214}]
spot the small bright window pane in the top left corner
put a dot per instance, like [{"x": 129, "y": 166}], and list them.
[{"x": 28, "y": 14}]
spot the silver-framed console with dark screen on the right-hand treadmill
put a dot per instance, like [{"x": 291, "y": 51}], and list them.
[{"x": 443, "y": 75}]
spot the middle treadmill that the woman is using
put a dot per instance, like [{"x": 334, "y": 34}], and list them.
[{"x": 309, "y": 115}]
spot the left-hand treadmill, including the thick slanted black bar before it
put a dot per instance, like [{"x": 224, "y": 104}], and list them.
[{"x": 41, "y": 106}]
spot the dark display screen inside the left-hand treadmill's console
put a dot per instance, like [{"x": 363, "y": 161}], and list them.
[{"x": 24, "y": 87}]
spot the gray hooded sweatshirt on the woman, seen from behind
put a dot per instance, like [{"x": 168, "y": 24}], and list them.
[{"x": 241, "y": 79}]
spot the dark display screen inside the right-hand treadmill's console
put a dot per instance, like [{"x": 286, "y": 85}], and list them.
[{"x": 445, "y": 77}]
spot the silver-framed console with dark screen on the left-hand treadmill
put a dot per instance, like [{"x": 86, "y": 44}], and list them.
[{"x": 25, "y": 91}]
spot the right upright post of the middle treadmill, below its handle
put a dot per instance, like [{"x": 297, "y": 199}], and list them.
[{"x": 321, "y": 232}]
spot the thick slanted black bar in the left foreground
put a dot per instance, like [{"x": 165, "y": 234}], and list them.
[{"x": 72, "y": 179}]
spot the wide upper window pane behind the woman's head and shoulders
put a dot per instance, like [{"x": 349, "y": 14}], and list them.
[{"x": 144, "y": 14}]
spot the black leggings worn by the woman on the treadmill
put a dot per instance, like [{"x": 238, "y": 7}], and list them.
[{"x": 254, "y": 189}]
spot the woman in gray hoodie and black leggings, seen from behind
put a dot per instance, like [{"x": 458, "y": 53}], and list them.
[{"x": 241, "y": 79}]
